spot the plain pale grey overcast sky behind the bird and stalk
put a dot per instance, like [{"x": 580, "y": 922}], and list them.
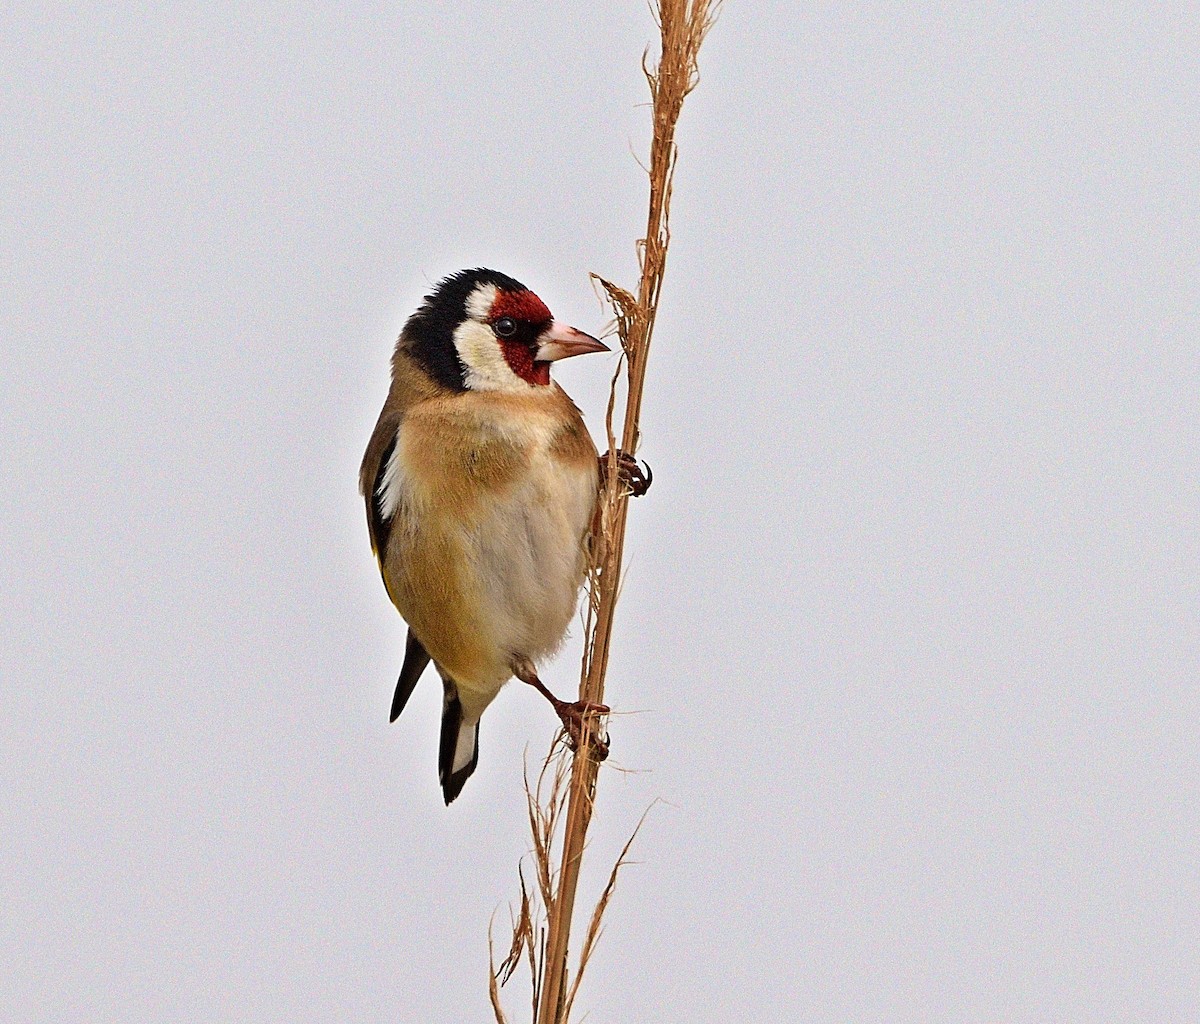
[{"x": 911, "y": 620}]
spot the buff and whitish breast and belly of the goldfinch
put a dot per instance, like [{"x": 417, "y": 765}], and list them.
[{"x": 488, "y": 567}]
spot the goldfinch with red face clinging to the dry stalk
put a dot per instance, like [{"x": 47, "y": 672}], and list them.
[{"x": 481, "y": 483}]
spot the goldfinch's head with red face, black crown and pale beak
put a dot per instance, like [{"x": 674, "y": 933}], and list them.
[{"x": 481, "y": 331}]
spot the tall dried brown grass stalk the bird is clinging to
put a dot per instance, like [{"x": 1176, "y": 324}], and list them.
[{"x": 683, "y": 26}]
